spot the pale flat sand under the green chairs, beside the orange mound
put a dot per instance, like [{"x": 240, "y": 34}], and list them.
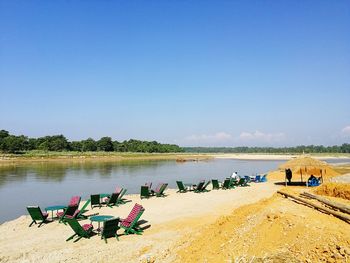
[{"x": 170, "y": 218}]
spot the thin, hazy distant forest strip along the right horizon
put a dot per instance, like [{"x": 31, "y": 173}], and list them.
[{"x": 344, "y": 148}]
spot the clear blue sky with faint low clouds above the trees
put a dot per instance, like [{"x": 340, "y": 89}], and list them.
[{"x": 210, "y": 73}]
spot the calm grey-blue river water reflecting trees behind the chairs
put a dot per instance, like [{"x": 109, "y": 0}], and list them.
[{"x": 46, "y": 184}]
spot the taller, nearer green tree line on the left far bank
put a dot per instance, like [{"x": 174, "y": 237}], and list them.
[{"x": 17, "y": 144}]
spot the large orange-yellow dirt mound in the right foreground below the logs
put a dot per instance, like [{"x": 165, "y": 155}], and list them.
[{"x": 273, "y": 230}]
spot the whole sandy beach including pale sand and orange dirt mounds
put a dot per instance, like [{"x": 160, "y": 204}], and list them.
[{"x": 248, "y": 224}]
